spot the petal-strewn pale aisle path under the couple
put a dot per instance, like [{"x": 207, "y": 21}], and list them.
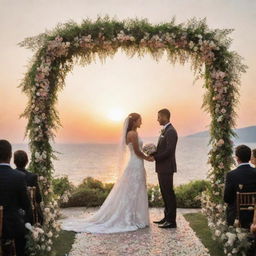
[{"x": 151, "y": 241}]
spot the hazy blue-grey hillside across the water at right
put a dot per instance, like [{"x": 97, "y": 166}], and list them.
[{"x": 246, "y": 134}]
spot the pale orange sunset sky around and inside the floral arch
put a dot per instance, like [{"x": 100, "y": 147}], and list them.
[{"x": 130, "y": 85}]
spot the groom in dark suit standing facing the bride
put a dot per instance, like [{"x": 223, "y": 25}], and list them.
[{"x": 165, "y": 168}]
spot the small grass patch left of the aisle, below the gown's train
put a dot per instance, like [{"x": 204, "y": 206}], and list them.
[{"x": 63, "y": 244}]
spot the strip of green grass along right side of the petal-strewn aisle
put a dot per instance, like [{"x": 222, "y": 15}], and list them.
[{"x": 198, "y": 223}]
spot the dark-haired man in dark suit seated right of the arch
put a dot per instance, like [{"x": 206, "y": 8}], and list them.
[{"x": 245, "y": 176}]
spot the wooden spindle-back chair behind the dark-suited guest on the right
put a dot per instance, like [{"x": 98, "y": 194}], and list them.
[{"x": 245, "y": 201}]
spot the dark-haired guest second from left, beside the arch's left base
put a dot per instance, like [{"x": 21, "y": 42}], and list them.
[{"x": 21, "y": 160}]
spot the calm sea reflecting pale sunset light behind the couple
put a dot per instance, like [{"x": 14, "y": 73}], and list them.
[{"x": 79, "y": 161}]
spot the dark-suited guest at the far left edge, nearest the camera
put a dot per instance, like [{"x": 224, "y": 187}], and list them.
[{"x": 13, "y": 197}]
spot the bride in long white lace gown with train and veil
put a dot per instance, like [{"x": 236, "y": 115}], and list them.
[{"x": 126, "y": 207}]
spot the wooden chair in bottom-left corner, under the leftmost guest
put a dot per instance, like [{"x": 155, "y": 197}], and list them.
[{"x": 7, "y": 247}]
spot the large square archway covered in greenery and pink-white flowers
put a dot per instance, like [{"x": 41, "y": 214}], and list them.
[{"x": 208, "y": 50}]
